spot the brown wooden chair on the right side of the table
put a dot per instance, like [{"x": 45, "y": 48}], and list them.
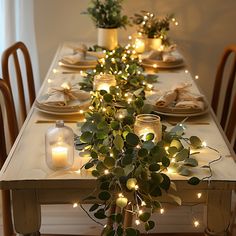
[{"x": 227, "y": 117}]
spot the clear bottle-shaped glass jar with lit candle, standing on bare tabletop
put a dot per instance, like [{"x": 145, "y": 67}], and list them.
[{"x": 59, "y": 144}]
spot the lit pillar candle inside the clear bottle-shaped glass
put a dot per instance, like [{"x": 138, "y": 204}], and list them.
[{"x": 60, "y": 156}]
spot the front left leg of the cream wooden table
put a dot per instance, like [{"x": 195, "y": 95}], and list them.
[{"x": 26, "y": 212}]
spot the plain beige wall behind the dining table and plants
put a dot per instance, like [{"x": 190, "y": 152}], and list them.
[{"x": 205, "y": 28}]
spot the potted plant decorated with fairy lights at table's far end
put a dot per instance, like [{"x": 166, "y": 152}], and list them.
[{"x": 154, "y": 28}]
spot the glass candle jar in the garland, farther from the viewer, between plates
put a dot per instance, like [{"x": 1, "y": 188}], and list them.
[{"x": 103, "y": 82}]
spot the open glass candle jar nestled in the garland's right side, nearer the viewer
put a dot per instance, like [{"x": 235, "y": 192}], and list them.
[{"x": 148, "y": 123}]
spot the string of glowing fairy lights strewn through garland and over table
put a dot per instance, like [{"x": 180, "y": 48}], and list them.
[{"x": 131, "y": 52}]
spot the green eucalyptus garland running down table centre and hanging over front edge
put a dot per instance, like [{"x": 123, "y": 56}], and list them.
[{"x": 132, "y": 171}]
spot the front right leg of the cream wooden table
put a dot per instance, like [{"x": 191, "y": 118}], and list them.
[{"x": 218, "y": 212}]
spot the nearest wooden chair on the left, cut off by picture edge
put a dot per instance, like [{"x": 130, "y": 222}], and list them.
[{"x": 8, "y": 124}]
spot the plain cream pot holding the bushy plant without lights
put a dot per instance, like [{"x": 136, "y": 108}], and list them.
[{"x": 107, "y": 38}]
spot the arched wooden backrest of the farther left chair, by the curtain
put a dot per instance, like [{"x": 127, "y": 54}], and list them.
[{"x": 14, "y": 52}]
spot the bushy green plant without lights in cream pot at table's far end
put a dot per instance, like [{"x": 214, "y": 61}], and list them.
[{"x": 107, "y": 16}]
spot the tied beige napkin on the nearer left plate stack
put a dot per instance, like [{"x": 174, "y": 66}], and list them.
[{"x": 61, "y": 95}]
